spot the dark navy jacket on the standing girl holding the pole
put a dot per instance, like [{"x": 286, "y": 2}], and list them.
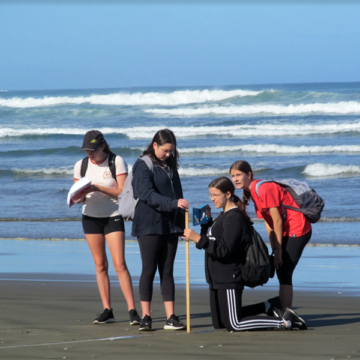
[{"x": 156, "y": 212}]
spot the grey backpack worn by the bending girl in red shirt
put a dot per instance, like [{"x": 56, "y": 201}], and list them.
[{"x": 305, "y": 197}]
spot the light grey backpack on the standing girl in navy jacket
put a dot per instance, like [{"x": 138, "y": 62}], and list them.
[{"x": 127, "y": 202}]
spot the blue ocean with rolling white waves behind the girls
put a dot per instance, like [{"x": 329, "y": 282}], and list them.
[{"x": 304, "y": 131}]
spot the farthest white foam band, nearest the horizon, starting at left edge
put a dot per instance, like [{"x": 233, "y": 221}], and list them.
[{"x": 124, "y": 99}]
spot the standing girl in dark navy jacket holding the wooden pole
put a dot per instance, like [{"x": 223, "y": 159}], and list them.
[{"x": 159, "y": 219}]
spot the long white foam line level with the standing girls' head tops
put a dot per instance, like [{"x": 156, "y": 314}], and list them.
[{"x": 145, "y": 132}]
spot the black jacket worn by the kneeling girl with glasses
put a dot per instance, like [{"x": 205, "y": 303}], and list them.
[{"x": 225, "y": 249}]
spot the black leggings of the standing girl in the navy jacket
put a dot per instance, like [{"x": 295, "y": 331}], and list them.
[{"x": 157, "y": 252}]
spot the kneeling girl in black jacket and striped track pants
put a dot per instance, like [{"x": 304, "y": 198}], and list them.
[{"x": 225, "y": 241}]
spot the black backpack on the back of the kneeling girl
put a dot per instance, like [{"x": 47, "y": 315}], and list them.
[{"x": 257, "y": 268}]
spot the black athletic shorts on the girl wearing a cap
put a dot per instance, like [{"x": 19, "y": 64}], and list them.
[{"x": 103, "y": 226}]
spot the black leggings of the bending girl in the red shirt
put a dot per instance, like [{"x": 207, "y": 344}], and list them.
[{"x": 292, "y": 248}]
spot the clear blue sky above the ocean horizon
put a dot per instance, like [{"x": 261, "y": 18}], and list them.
[{"x": 92, "y": 45}]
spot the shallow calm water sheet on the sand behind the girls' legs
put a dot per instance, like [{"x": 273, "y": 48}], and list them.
[{"x": 321, "y": 268}]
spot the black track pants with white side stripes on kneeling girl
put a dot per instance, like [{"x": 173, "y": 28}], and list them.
[{"x": 226, "y": 312}]
